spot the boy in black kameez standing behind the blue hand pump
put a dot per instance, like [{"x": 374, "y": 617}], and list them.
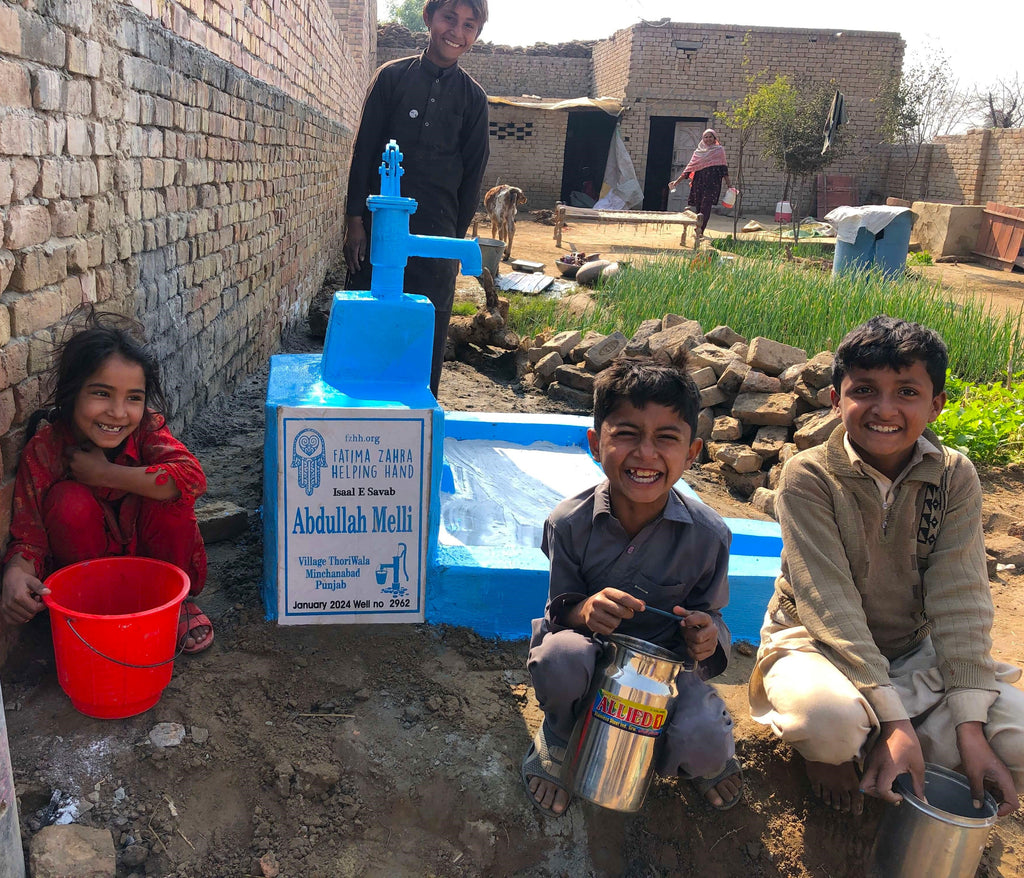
[{"x": 439, "y": 116}]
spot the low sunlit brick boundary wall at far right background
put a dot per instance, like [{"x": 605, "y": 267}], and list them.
[{"x": 972, "y": 169}]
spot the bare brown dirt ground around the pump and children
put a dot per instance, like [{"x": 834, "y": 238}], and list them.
[{"x": 345, "y": 750}]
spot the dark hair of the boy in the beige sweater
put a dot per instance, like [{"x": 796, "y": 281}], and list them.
[{"x": 885, "y": 343}]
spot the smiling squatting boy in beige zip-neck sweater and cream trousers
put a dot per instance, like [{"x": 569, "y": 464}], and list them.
[{"x": 876, "y": 648}]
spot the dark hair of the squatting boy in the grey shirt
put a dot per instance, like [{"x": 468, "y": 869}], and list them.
[{"x": 641, "y": 381}]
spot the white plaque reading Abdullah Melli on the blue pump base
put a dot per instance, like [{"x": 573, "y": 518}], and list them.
[{"x": 353, "y": 501}]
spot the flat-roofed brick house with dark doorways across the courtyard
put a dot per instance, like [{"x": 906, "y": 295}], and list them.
[{"x": 667, "y": 80}]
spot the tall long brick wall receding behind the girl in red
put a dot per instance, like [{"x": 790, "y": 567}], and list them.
[{"x": 183, "y": 163}]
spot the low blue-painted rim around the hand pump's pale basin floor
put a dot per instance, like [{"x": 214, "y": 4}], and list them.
[{"x": 498, "y": 591}]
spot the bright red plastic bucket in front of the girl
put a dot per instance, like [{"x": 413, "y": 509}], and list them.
[{"x": 115, "y": 624}]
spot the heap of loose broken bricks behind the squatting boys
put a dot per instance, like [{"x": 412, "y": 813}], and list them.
[{"x": 761, "y": 401}]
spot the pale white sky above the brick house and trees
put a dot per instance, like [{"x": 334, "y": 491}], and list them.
[{"x": 984, "y": 43}]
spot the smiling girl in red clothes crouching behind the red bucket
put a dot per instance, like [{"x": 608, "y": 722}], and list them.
[{"x": 105, "y": 477}]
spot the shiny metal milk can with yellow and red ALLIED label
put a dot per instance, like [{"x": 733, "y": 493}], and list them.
[{"x": 612, "y": 751}]
